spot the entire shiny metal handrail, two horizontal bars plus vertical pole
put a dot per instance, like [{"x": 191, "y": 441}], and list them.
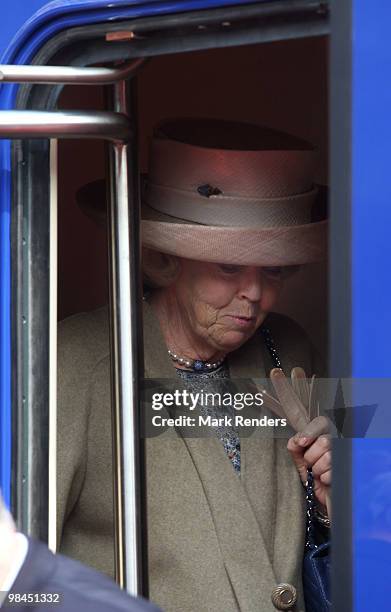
[{"x": 116, "y": 127}]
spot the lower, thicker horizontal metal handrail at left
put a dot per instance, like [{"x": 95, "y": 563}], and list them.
[{"x": 111, "y": 126}]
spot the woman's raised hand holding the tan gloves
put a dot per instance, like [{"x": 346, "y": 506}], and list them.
[{"x": 311, "y": 448}]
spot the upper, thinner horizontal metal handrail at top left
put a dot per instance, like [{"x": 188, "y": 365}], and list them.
[{"x": 68, "y": 75}]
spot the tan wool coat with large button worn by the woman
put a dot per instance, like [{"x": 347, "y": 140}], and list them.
[{"x": 217, "y": 541}]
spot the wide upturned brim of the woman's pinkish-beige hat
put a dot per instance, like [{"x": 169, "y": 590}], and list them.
[{"x": 257, "y": 246}]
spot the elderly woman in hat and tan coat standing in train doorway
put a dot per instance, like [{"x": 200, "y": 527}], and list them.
[{"x": 227, "y": 209}]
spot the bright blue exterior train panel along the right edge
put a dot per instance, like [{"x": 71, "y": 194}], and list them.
[{"x": 371, "y": 291}]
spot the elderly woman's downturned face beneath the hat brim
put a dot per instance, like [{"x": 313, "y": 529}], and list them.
[{"x": 225, "y": 304}]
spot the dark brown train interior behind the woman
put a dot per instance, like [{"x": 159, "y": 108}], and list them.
[{"x": 283, "y": 85}]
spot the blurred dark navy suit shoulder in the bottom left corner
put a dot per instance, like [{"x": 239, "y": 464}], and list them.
[{"x": 79, "y": 587}]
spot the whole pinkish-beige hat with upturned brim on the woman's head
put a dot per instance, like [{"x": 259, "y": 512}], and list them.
[{"x": 229, "y": 192}]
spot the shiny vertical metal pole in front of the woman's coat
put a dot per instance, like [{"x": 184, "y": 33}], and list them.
[{"x": 126, "y": 355}]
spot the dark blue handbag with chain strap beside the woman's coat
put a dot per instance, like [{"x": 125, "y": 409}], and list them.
[{"x": 316, "y": 564}]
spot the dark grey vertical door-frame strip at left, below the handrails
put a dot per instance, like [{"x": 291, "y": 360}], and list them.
[{"x": 30, "y": 331}]
